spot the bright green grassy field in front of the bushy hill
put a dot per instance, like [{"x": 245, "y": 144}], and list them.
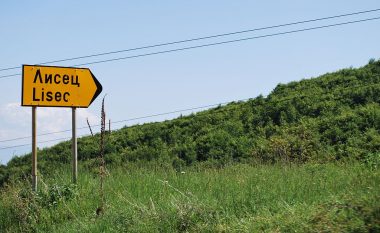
[{"x": 238, "y": 198}]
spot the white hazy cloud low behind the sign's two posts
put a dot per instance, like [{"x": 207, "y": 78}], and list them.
[{"x": 15, "y": 122}]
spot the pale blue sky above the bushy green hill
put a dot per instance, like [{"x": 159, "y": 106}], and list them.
[{"x": 38, "y": 31}]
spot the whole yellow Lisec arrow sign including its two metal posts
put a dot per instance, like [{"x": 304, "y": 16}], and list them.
[{"x": 51, "y": 86}]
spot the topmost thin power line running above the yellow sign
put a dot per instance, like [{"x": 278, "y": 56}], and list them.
[{"x": 197, "y": 39}]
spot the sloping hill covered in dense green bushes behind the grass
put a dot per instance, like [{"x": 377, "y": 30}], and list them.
[{"x": 332, "y": 117}]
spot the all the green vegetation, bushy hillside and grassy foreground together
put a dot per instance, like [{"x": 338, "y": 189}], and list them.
[{"x": 304, "y": 158}]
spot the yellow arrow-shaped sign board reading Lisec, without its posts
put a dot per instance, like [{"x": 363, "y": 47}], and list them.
[{"x": 51, "y": 86}]
